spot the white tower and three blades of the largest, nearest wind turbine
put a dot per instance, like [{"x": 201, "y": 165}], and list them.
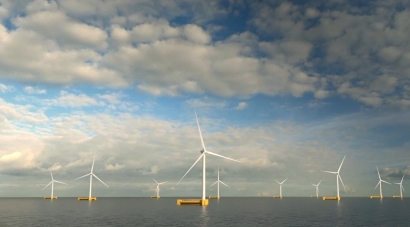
[{"x": 203, "y": 202}]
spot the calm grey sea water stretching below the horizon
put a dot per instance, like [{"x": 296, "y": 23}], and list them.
[{"x": 225, "y": 212}]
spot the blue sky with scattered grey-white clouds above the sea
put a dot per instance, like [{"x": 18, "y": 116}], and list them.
[{"x": 287, "y": 87}]
